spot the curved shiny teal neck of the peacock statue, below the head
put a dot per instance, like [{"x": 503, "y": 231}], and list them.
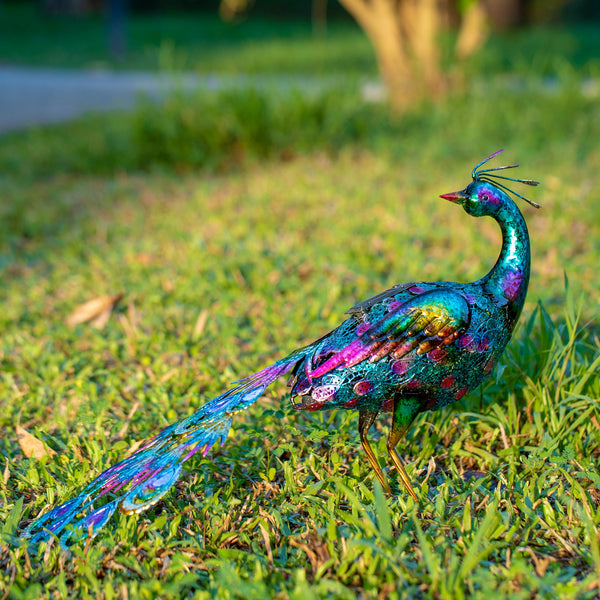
[{"x": 509, "y": 278}]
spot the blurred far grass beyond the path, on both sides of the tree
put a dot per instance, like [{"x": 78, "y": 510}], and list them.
[{"x": 202, "y": 42}]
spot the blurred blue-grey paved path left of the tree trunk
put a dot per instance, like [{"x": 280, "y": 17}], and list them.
[{"x": 32, "y": 96}]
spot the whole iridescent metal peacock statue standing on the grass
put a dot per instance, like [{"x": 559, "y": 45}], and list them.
[{"x": 415, "y": 347}]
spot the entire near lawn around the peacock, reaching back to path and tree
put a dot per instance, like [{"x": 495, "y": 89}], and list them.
[{"x": 270, "y": 240}]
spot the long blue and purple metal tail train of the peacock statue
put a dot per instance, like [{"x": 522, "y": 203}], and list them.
[{"x": 142, "y": 479}]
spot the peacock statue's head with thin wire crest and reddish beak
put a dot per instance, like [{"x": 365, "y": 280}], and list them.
[{"x": 485, "y": 195}]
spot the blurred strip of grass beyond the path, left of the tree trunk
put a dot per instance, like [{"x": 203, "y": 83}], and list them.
[{"x": 196, "y": 42}]
